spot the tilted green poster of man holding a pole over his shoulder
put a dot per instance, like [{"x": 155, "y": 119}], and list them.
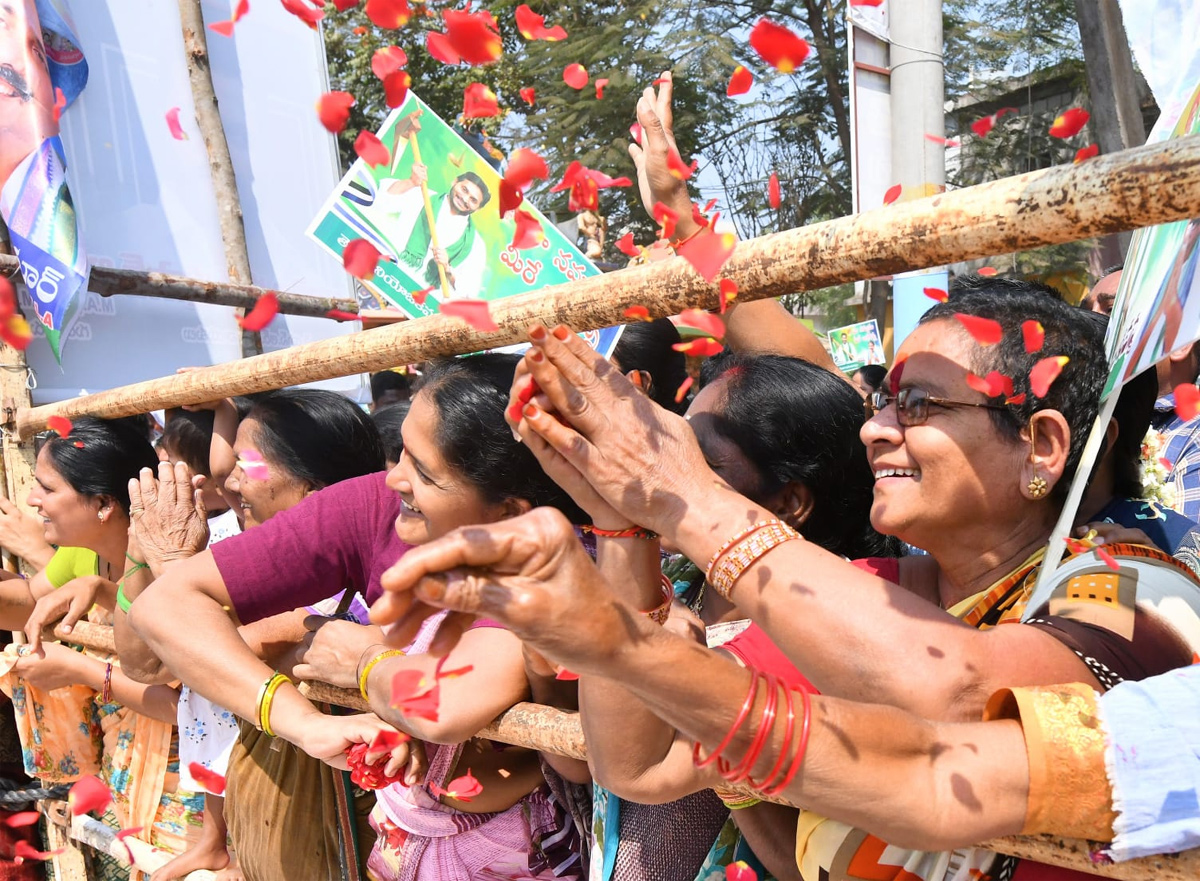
[{"x": 433, "y": 212}]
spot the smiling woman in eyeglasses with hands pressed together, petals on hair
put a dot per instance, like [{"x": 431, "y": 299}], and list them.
[{"x": 976, "y": 481}]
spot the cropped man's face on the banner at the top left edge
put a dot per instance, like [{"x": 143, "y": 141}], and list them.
[{"x": 27, "y": 97}]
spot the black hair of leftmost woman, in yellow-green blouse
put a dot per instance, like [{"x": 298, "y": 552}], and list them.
[{"x": 103, "y": 456}]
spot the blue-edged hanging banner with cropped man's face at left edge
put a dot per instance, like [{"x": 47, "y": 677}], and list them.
[{"x": 43, "y": 71}]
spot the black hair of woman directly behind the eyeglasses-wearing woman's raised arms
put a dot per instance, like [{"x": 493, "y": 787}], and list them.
[{"x": 799, "y": 422}]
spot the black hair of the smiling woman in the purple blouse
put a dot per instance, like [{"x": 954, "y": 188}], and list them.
[{"x": 470, "y": 395}]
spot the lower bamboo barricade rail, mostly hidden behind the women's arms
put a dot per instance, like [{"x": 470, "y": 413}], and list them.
[{"x": 551, "y": 730}]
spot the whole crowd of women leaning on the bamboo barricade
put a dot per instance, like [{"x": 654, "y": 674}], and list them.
[{"x": 759, "y": 598}]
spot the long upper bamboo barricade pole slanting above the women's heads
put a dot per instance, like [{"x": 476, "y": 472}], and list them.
[{"x": 1144, "y": 187}]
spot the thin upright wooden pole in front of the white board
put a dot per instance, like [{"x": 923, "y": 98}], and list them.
[{"x": 225, "y": 184}]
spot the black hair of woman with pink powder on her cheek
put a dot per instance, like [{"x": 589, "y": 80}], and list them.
[{"x": 317, "y": 436}]
